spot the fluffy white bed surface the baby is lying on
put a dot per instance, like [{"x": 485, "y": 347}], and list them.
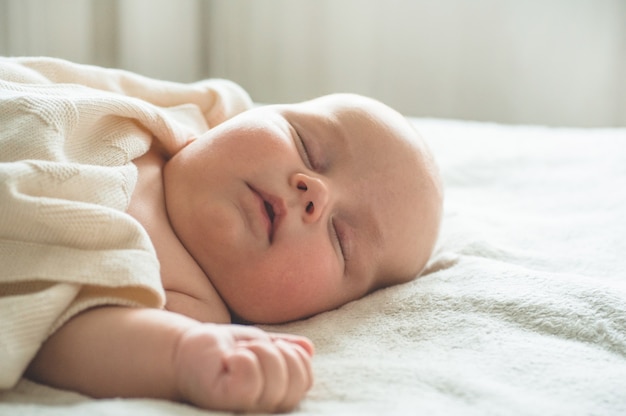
[{"x": 522, "y": 309}]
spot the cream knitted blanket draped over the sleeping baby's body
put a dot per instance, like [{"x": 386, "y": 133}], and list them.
[{"x": 68, "y": 135}]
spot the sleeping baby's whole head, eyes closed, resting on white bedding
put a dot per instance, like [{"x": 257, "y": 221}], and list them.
[{"x": 292, "y": 210}]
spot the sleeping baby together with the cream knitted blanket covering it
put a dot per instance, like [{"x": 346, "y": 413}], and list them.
[{"x": 273, "y": 214}]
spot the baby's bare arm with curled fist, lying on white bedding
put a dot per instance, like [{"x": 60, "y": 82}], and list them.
[{"x": 126, "y": 352}]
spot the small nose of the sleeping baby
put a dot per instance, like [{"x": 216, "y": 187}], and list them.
[{"x": 312, "y": 196}]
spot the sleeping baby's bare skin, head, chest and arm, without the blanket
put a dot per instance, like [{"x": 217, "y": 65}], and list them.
[{"x": 276, "y": 214}]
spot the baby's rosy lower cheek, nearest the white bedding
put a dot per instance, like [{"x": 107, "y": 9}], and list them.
[{"x": 284, "y": 290}]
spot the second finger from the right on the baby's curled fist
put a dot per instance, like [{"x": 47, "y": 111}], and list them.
[{"x": 275, "y": 374}]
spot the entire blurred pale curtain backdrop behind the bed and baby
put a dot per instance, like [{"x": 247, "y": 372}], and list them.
[{"x": 551, "y": 62}]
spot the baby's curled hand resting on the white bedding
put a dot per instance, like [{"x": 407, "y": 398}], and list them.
[{"x": 240, "y": 368}]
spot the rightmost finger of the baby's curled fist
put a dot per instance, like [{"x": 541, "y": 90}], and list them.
[{"x": 300, "y": 374}]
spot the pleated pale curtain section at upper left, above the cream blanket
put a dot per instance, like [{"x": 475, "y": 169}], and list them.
[{"x": 159, "y": 38}]
